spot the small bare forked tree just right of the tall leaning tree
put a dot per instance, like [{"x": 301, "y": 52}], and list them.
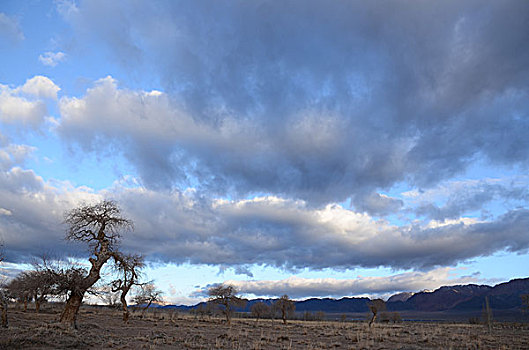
[{"x": 129, "y": 267}]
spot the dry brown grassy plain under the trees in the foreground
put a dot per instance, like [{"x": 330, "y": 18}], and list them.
[{"x": 103, "y": 328}]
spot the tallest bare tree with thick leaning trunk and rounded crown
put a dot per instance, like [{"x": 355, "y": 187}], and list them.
[{"x": 99, "y": 226}]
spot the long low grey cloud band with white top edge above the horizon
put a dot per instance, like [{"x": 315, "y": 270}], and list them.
[{"x": 185, "y": 227}]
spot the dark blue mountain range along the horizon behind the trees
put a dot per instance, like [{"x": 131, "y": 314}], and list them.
[{"x": 470, "y": 297}]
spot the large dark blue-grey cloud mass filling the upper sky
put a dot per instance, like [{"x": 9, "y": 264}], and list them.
[{"x": 316, "y": 100}]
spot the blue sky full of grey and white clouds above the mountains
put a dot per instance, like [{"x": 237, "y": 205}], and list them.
[{"x": 309, "y": 148}]
